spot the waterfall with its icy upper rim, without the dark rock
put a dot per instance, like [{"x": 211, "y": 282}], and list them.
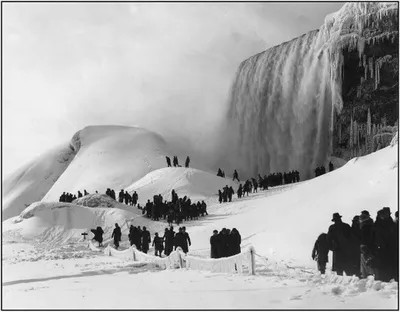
[{"x": 283, "y": 100}]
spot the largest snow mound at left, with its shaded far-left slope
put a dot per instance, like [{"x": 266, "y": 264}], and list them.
[{"x": 96, "y": 158}]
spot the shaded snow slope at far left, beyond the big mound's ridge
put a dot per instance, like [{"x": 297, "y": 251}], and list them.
[{"x": 32, "y": 181}]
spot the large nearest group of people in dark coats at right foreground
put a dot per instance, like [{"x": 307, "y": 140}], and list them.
[{"x": 362, "y": 249}]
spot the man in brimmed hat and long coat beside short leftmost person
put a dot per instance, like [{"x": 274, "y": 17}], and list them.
[{"x": 339, "y": 241}]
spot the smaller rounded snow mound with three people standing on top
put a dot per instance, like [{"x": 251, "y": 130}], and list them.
[{"x": 194, "y": 183}]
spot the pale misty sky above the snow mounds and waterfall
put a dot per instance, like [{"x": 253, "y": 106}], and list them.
[{"x": 167, "y": 67}]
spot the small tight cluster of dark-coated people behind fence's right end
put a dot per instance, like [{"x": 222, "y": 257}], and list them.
[{"x": 226, "y": 243}]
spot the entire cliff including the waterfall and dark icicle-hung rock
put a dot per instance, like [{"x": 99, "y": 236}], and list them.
[{"x": 296, "y": 105}]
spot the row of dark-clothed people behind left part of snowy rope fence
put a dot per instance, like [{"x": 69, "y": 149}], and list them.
[{"x": 141, "y": 238}]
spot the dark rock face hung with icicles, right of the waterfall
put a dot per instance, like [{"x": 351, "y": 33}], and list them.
[{"x": 370, "y": 93}]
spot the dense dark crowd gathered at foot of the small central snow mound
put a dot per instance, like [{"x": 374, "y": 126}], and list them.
[{"x": 176, "y": 210}]
